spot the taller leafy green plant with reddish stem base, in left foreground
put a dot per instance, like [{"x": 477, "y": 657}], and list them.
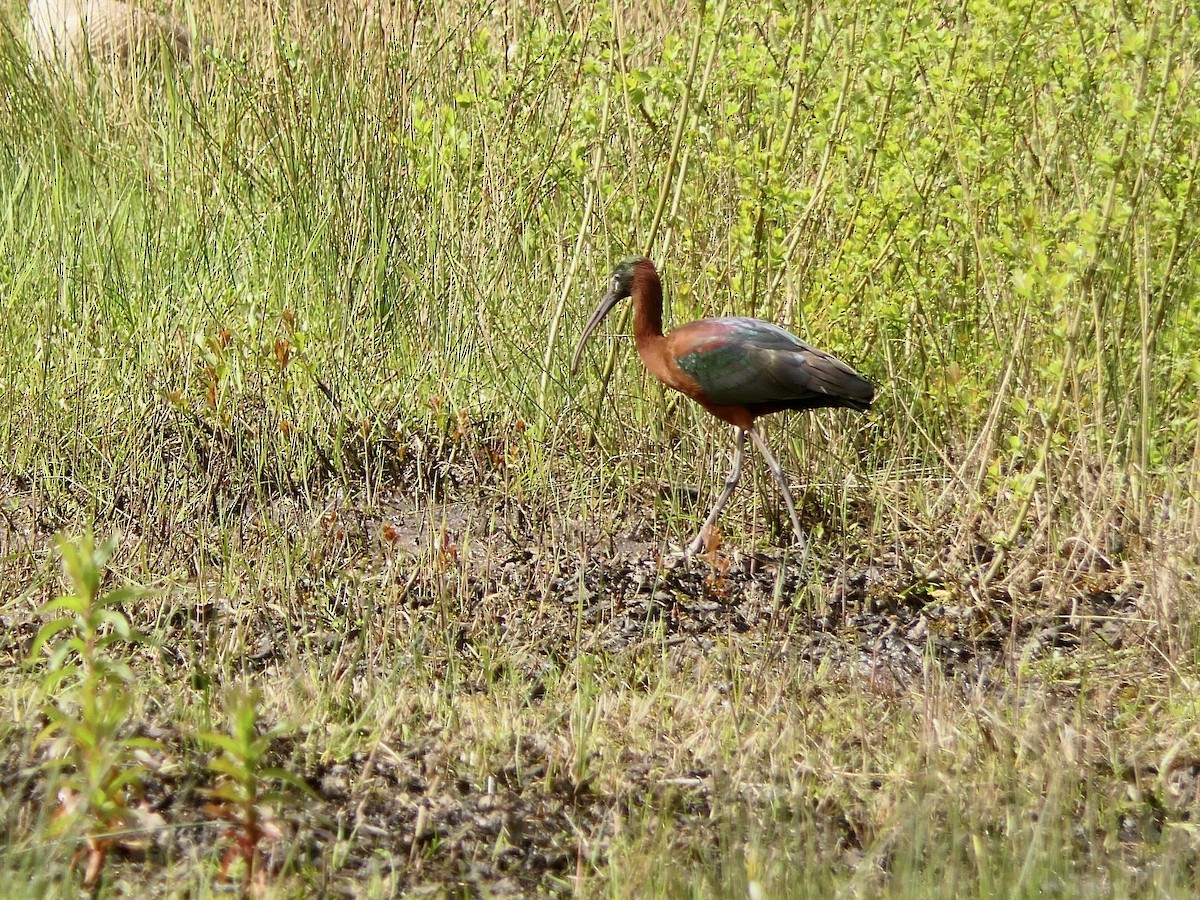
[{"x": 87, "y": 681}]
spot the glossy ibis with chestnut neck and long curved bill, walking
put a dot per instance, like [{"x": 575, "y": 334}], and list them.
[{"x": 737, "y": 369}]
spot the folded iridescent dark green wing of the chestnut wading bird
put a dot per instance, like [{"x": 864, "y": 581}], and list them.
[{"x": 741, "y": 362}]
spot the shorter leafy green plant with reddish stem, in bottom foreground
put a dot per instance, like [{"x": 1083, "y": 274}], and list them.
[{"x": 242, "y": 796}]
